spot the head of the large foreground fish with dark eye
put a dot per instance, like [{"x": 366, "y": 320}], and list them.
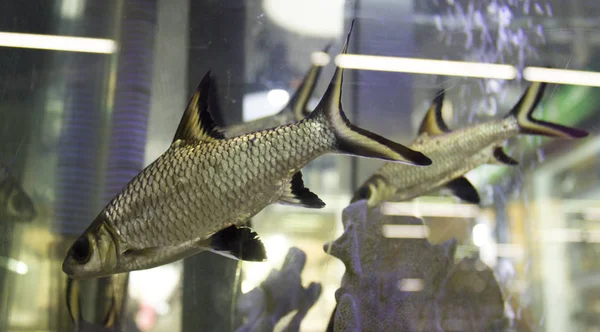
[{"x": 94, "y": 253}]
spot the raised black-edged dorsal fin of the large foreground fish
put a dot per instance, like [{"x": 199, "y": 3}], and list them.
[{"x": 197, "y": 124}]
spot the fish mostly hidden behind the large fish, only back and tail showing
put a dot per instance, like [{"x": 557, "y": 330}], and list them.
[{"x": 295, "y": 110}]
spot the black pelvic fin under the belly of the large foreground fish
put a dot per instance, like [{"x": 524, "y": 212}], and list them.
[{"x": 238, "y": 243}]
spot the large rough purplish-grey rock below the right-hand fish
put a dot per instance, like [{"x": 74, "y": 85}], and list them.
[{"x": 408, "y": 284}]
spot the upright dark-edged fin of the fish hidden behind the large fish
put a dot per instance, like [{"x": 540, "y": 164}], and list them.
[{"x": 298, "y": 104}]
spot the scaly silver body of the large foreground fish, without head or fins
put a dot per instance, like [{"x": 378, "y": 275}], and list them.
[{"x": 192, "y": 191}]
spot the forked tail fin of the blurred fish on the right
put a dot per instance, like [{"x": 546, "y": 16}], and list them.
[{"x": 523, "y": 110}]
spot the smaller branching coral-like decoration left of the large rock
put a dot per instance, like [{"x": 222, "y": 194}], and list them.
[{"x": 278, "y": 295}]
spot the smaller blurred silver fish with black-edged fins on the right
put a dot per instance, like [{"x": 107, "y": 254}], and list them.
[{"x": 454, "y": 153}]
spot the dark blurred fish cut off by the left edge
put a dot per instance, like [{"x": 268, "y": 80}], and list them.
[{"x": 15, "y": 204}]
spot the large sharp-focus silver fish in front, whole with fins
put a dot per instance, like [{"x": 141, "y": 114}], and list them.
[{"x": 200, "y": 193}]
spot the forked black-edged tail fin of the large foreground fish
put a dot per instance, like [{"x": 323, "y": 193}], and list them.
[{"x": 353, "y": 140}]
